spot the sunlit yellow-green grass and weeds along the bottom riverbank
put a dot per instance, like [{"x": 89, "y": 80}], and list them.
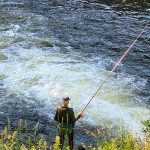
[{"x": 22, "y": 139}]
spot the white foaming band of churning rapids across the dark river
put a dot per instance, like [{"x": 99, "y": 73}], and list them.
[{"x": 34, "y": 67}]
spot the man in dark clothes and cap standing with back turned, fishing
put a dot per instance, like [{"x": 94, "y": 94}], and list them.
[{"x": 66, "y": 122}]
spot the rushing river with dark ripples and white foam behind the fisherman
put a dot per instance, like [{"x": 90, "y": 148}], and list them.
[{"x": 55, "y": 48}]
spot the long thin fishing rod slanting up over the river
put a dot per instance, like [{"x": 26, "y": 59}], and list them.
[{"x": 113, "y": 69}]
